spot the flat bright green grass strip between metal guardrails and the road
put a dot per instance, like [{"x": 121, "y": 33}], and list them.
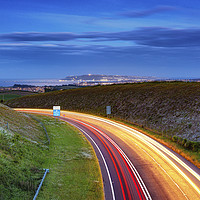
[{"x": 74, "y": 170}]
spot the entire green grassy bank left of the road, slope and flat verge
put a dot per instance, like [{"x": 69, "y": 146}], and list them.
[{"x": 74, "y": 171}]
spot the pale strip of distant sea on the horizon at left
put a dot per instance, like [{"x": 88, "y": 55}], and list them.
[{"x": 36, "y": 82}]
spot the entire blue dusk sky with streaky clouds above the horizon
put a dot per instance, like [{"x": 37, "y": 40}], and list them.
[{"x": 54, "y": 39}]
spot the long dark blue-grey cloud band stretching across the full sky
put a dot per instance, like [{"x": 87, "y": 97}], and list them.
[{"x": 151, "y": 37}]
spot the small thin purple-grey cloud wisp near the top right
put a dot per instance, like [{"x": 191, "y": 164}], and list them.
[{"x": 145, "y": 13}]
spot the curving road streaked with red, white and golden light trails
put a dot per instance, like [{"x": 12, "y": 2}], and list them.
[{"x": 164, "y": 173}]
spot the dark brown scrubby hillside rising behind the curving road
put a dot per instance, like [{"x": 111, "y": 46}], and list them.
[{"x": 169, "y": 107}]
